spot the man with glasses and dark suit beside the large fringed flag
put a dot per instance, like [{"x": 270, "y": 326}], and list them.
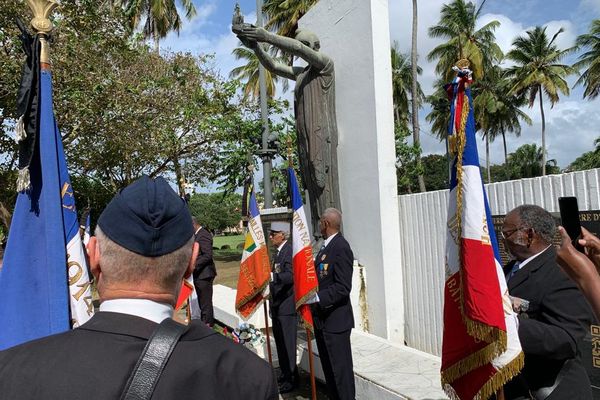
[{"x": 557, "y": 317}]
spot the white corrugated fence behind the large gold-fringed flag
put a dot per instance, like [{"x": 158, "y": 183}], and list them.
[{"x": 423, "y": 238}]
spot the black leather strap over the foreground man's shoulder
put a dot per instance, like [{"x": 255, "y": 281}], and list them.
[{"x": 147, "y": 371}]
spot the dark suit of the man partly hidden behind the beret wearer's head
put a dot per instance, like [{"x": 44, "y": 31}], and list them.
[{"x": 204, "y": 275}]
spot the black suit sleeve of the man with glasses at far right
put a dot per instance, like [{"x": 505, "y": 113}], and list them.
[{"x": 563, "y": 322}]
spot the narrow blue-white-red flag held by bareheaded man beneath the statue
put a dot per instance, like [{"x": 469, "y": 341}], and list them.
[{"x": 305, "y": 277}]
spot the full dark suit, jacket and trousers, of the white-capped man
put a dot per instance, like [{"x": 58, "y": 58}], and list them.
[{"x": 283, "y": 311}]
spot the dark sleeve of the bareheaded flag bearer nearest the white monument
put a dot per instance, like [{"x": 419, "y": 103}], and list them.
[{"x": 339, "y": 290}]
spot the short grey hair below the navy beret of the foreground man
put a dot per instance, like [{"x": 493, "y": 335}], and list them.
[{"x": 124, "y": 266}]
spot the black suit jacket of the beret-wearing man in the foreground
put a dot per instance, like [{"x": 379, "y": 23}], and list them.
[{"x": 93, "y": 362}]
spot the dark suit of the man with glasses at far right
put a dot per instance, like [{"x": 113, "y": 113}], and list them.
[{"x": 551, "y": 331}]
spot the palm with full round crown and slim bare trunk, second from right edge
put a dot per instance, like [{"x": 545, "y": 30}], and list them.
[{"x": 538, "y": 70}]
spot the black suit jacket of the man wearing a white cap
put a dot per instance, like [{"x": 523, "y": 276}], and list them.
[{"x": 282, "y": 286}]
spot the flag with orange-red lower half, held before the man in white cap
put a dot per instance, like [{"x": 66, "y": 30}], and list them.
[{"x": 255, "y": 269}]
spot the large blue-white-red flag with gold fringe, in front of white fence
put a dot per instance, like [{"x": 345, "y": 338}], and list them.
[{"x": 481, "y": 349}]
